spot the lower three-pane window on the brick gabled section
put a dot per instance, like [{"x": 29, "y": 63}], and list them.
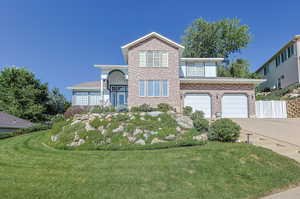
[{"x": 153, "y": 88}]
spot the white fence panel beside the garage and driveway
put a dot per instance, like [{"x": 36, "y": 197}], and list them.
[{"x": 271, "y": 109}]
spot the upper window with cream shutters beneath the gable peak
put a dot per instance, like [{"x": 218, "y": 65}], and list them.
[{"x": 153, "y": 58}]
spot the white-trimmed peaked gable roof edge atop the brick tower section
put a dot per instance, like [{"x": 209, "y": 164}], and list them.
[{"x": 152, "y": 34}]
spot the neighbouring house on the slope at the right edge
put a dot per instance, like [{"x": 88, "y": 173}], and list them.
[{"x": 283, "y": 68}]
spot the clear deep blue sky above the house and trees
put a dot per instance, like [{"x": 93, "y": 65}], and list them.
[{"x": 60, "y": 40}]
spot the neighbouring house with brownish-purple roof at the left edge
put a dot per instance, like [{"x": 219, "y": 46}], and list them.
[{"x": 9, "y": 123}]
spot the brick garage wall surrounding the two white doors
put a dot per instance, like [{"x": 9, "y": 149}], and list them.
[{"x": 216, "y": 91}]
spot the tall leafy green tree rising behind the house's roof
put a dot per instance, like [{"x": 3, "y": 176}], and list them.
[{"x": 215, "y": 39}]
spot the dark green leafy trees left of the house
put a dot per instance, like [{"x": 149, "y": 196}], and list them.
[{"x": 25, "y": 96}]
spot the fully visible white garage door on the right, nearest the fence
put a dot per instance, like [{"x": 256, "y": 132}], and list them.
[{"x": 234, "y": 106}]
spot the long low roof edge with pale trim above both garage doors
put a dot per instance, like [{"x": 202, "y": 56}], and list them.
[{"x": 223, "y": 80}]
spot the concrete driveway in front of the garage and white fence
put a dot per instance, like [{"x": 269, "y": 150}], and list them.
[{"x": 287, "y": 130}]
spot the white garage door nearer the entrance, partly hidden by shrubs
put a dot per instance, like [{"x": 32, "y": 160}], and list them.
[{"x": 200, "y": 102}]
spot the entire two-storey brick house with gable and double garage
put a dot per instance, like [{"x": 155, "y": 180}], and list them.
[{"x": 155, "y": 72}]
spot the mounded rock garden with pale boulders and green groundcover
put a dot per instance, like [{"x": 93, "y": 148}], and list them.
[{"x": 142, "y": 127}]
